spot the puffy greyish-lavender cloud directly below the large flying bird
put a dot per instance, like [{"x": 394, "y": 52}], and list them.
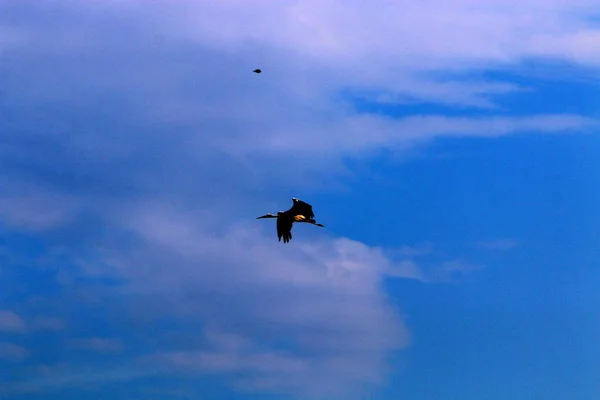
[{"x": 321, "y": 297}]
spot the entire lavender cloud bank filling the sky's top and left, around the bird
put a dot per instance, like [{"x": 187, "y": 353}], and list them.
[{"x": 135, "y": 139}]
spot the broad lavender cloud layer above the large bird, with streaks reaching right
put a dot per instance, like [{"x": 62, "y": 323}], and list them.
[{"x": 234, "y": 120}]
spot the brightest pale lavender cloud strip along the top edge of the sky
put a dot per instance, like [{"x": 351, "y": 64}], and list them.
[{"x": 417, "y": 34}]
